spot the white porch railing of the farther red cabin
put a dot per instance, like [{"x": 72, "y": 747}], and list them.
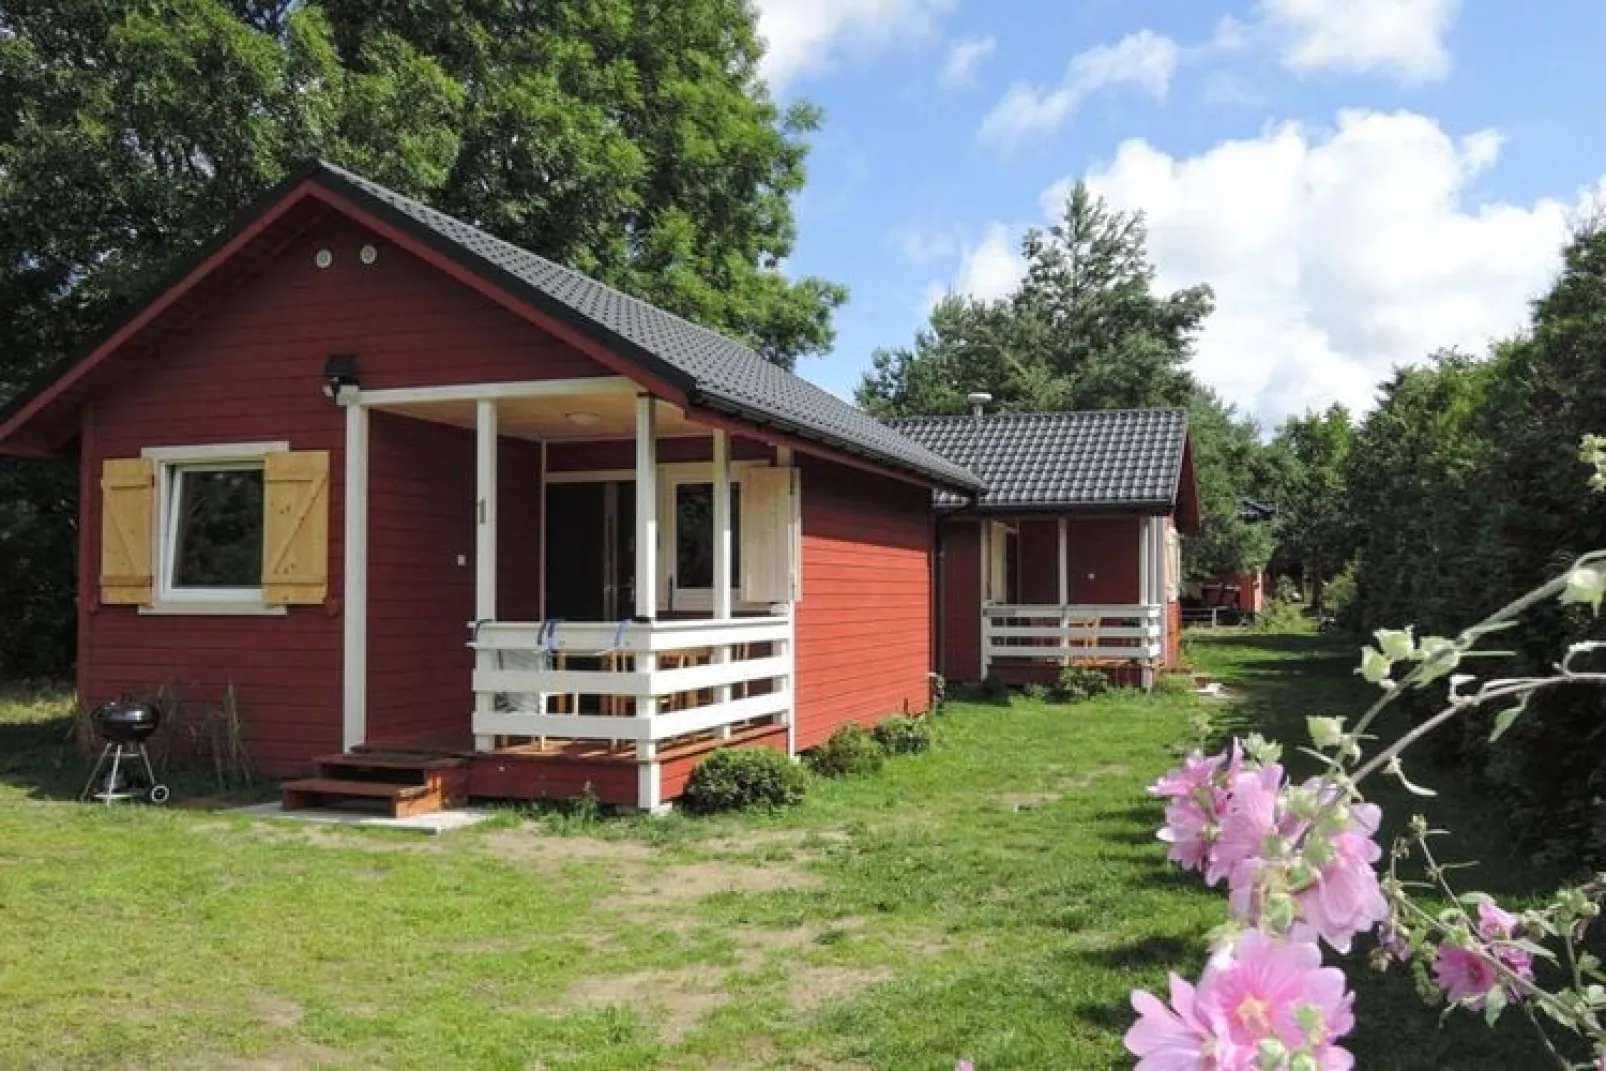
[{"x": 1072, "y": 632}]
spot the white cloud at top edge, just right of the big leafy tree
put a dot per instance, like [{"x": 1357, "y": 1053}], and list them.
[{"x": 810, "y": 36}]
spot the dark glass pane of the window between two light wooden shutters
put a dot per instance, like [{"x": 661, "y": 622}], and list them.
[{"x": 219, "y": 529}]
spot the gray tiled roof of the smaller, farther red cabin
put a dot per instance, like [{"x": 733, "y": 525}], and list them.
[{"x": 1096, "y": 460}]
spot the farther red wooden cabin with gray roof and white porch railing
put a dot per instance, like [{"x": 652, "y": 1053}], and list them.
[{"x": 1074, "y": 553}]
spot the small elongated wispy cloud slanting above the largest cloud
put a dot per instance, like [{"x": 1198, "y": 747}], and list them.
[{"x": 1143, "y": 60}]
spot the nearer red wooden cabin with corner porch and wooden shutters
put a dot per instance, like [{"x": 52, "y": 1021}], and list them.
[{"x": 414, "y": 492}]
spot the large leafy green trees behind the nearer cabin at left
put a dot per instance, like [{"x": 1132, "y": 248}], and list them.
[{"x": 629, "y": 139}]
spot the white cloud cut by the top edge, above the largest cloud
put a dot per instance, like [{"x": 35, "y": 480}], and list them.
[{"x": 1406, "y": 38}]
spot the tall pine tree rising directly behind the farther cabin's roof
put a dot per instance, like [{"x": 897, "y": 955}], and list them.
[{"x": 1086, "y": 330}]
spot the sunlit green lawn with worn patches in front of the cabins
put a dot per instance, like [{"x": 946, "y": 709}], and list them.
[{"x": 993, "y": 900}]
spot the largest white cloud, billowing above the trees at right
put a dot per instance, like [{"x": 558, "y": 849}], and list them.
[{"x": 1337, "y": 255}]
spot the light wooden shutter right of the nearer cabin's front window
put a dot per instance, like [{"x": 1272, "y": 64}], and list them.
[{"x": 296, "y": 527}]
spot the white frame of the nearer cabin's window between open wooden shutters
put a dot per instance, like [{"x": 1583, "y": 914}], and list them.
[{"x": 171, "y": 465}]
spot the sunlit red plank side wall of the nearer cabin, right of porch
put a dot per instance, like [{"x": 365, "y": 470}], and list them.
[{"x": 863, "y": 627}]
